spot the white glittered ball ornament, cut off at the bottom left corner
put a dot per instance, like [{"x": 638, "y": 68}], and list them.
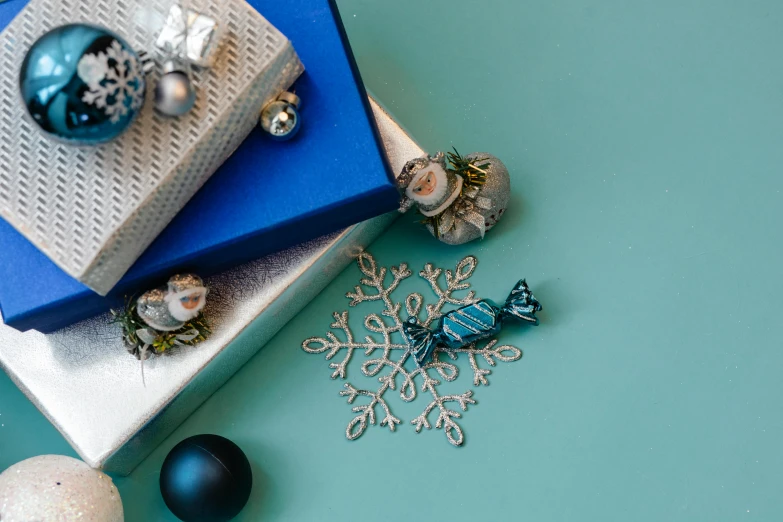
[{"x": 54, "y": 488}]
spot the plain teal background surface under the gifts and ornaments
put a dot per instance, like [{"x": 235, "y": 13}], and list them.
[{"x": 644, "y": 141}]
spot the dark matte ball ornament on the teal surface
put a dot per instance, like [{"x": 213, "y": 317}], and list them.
[{"x": 206, "y": 478}]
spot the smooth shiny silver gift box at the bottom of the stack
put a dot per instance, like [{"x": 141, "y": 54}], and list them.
[{"x": 255, "y": 301}]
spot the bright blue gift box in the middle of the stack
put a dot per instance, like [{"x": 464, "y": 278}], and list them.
[{"x": 266, "y": 197}]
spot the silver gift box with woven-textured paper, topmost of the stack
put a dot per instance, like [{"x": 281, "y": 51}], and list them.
[{"x": 94, "y": 210}]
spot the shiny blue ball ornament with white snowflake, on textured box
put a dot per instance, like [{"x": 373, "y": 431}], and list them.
[{"x": 82, "y": 84}]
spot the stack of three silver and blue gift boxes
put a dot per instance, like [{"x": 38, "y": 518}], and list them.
[{"x": 266, "y": 223}]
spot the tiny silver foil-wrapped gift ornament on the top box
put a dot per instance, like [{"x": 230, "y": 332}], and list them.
[{"x": 190, "y": 35}]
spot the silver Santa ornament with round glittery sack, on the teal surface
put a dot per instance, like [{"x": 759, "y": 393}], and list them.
[{"x": 460, "y": 197}]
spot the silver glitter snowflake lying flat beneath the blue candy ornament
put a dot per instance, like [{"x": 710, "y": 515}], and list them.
[{"x": 386, "y": 357}]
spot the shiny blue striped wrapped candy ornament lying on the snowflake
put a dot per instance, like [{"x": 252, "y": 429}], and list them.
[{"x": 471, "y": 323}]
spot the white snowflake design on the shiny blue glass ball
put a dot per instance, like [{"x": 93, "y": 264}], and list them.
[{"x": 114, "y": 80}]
